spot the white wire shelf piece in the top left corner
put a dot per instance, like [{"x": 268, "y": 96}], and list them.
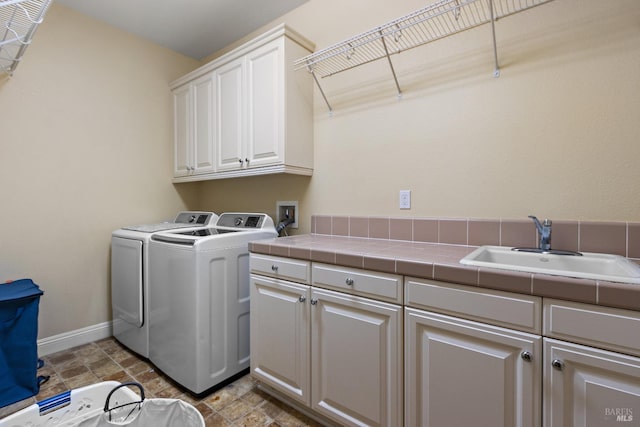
[{"x": 19, "y": 20}]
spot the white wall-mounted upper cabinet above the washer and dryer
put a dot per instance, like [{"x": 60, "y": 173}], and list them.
[{"x": 260, "y": 116}]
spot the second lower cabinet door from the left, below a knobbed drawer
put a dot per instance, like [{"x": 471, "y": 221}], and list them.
[{"x": 356, "y": 354}]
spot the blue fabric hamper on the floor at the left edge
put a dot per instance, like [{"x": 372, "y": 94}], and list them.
[{"x": 19, "y": 302}]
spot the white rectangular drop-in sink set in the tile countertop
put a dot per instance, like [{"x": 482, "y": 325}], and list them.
[{"x": 595, "y": 266}]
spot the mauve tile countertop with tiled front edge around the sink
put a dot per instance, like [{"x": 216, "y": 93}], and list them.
[{"x": 441, "y": 262}]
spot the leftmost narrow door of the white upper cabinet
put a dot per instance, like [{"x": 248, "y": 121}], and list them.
[{"x": 182, "y": 131}]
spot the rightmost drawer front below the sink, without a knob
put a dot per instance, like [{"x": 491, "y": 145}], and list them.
[{"x": 604, "y": 327}]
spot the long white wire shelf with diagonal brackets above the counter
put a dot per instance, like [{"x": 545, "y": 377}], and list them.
[{"x": 431, "y": 23}]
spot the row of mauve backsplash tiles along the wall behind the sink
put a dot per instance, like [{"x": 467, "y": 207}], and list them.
[{"x": 620, "y": 238}]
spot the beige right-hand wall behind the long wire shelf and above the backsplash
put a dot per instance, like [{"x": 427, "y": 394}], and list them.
[{"x": 557, "y": 135}]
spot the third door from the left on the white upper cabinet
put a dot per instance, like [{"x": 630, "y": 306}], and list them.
[{"x": 229, "y": 115}]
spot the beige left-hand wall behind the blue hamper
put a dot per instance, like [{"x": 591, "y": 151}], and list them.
[{"x": 85, "y": 148}]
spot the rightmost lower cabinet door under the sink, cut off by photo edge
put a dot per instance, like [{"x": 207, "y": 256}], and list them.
[{"x": 589, "y": 387}]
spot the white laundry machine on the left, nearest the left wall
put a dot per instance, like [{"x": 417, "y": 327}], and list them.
[{"x": 130, "y": 276}]
